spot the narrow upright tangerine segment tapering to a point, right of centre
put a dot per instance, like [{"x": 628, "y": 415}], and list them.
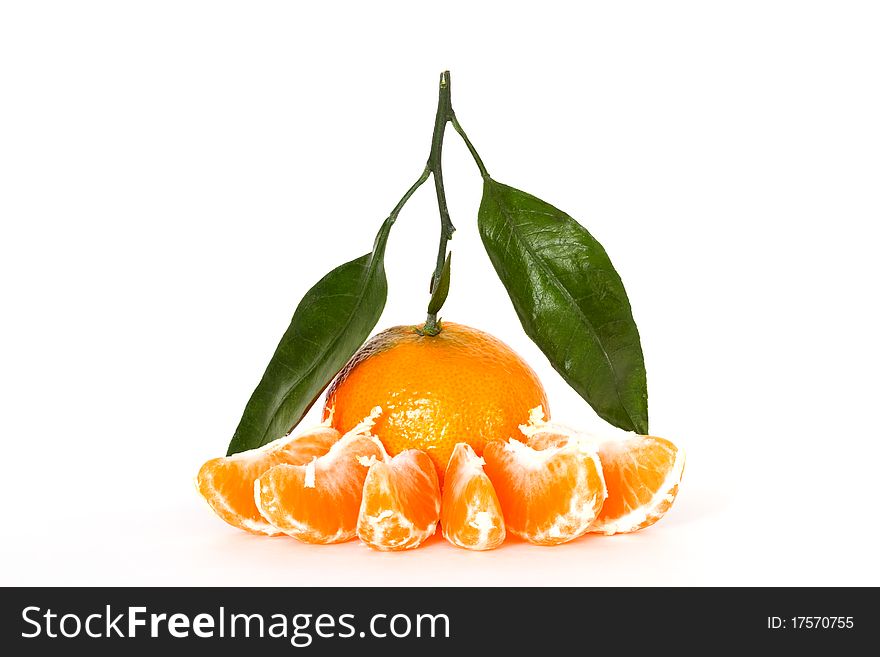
[{"x": 470, "y": 513}]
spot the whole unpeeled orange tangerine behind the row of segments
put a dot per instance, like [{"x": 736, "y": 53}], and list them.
[{"x": 461, "y": 385}]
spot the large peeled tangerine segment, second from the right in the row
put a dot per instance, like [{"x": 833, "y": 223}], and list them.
[{"x": 550, "y": 485}]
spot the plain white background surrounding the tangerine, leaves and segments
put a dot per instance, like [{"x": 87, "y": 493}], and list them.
[{"x": 175, "y": 175}]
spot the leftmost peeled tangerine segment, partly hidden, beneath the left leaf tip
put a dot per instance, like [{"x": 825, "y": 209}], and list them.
[{"x": 227, "y": 483}]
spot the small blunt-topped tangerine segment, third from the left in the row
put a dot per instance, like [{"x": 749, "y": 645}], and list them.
[{"x": 401, "y": 502}]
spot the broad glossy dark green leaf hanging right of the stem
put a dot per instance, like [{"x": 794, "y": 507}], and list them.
[{"x": 570, "y": 300}]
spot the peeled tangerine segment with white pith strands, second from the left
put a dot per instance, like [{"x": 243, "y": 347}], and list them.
[{"x": 318, "y": 502}]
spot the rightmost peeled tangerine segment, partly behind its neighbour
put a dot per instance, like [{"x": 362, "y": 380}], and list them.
[{"x": 642, "y": 474}]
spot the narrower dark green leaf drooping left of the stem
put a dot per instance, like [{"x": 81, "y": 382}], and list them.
[{"x": 331, "y": 322}]
